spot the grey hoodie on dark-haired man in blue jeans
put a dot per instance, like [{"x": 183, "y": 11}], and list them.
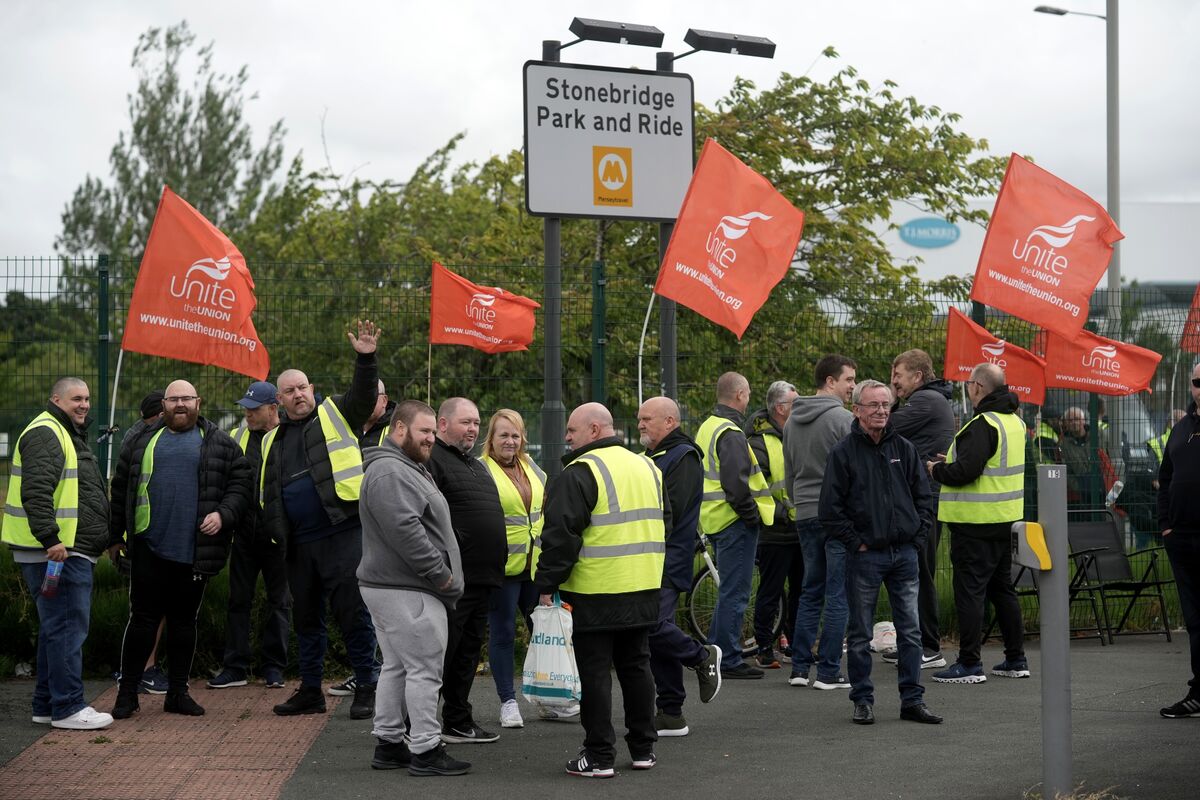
[{"x": 817, "y": 424}]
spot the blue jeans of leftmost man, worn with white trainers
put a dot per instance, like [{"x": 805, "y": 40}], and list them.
[{"x": 63, "y": 628}]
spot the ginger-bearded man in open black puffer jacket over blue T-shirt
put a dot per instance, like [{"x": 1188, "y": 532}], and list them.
[{"x": 179, "y": 491}]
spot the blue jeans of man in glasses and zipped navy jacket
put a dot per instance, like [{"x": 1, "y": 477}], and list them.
[{"x": 896, "y": 569}]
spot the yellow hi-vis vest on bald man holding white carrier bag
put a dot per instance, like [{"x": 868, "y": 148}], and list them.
[{"x": 625, "y": 545}]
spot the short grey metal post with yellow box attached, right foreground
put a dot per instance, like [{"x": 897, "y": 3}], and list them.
[{"x": 1053, "y": 597}]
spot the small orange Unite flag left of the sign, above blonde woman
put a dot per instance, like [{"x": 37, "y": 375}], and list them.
[{"x": 489, "y": 320}]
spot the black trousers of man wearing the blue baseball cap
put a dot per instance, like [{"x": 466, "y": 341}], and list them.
[{"x": 251, "y": 556}]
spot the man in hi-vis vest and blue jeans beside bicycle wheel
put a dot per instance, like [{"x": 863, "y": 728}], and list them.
[{"x": 736, "y": 502}]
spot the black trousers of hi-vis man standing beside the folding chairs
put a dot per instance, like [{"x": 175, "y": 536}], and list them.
[{"x": 983, "y": 573}]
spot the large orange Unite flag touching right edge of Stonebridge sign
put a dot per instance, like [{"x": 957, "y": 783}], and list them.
[{"x": 734, "y": 242}]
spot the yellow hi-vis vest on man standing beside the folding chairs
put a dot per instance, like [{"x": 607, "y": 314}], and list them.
[{"x": 999, "y": 494}]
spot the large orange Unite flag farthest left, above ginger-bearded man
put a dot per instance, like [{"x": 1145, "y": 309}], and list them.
[{"x": 194, "y": 296}]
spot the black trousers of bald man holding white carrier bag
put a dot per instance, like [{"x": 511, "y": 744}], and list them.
[{"x": 598, "y": 654}]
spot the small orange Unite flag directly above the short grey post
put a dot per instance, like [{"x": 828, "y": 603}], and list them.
[{"x": 1095, "y": 364}]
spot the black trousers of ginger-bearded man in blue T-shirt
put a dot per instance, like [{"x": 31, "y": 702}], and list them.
[{"x": 160, "y": 590}]
